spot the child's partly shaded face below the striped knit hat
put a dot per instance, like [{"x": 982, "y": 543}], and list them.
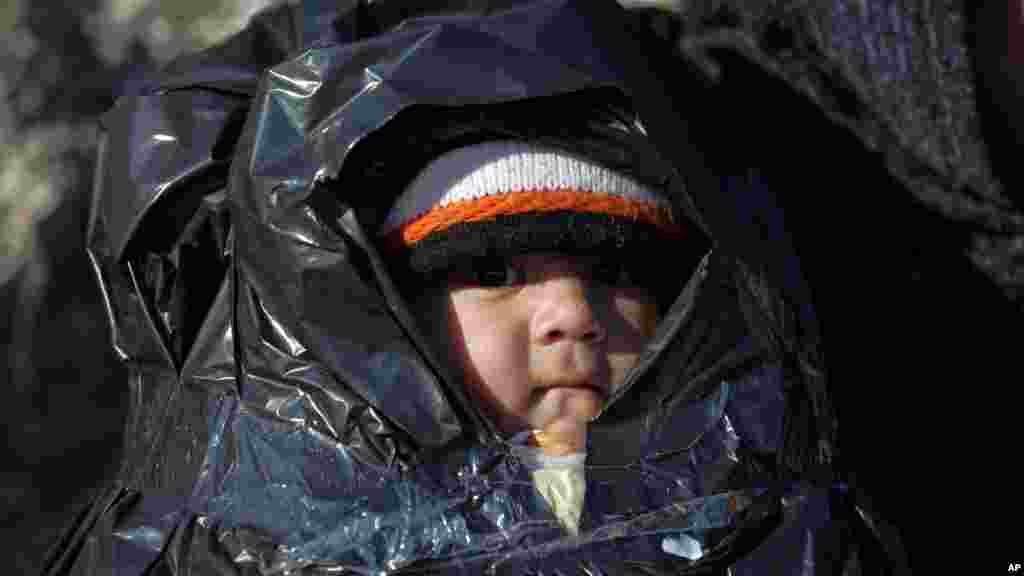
[{"x": 543, "y": 340}]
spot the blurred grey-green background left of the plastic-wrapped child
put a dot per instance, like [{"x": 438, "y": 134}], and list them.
[{"x": 64, "y": 393}]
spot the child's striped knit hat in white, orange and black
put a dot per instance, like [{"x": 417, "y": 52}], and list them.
[{"x": 501, "y": 198}]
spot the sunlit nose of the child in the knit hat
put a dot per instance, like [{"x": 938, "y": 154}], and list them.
[{"x": 564, "y": 312}]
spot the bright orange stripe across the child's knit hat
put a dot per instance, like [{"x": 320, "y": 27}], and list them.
[{"x": 490, "y": 208}]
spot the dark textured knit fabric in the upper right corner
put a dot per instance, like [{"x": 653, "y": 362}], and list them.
[{"x": 923, "y": 85}]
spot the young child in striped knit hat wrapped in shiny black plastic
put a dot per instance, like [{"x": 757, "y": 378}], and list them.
[{"x": 457, "y": 312}]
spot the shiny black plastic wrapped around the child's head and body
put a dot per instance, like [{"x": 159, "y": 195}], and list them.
[{"x": 288, "y": 417}]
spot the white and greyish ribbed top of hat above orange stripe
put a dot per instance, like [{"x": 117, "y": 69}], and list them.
[{"x": 500, "y": 168}]
